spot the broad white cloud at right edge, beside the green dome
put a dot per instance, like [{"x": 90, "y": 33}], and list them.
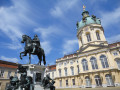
[{"x": 110, "y": 18}]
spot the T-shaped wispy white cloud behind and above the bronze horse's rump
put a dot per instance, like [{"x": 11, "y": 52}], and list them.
[{"x": 47, "y": 34}]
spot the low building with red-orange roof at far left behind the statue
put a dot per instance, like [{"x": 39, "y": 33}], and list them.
[{"x": 7, "y": 69}]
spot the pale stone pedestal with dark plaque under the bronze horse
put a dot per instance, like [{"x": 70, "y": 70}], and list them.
[{"x": 37, "y": 72}]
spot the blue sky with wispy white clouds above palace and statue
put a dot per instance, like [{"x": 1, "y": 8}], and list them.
[{"x": 54, "y": 21}]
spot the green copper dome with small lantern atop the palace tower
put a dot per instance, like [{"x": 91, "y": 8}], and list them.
[{"x": 86, "y": 20}]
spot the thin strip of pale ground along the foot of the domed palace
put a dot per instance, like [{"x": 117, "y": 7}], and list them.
[{"x": 107, "y": 88}]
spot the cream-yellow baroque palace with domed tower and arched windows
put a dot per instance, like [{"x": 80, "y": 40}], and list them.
[{"x": 95, "y": 64}]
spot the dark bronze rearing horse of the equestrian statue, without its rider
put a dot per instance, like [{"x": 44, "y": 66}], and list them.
[{"x": 29, "y": 49}]
